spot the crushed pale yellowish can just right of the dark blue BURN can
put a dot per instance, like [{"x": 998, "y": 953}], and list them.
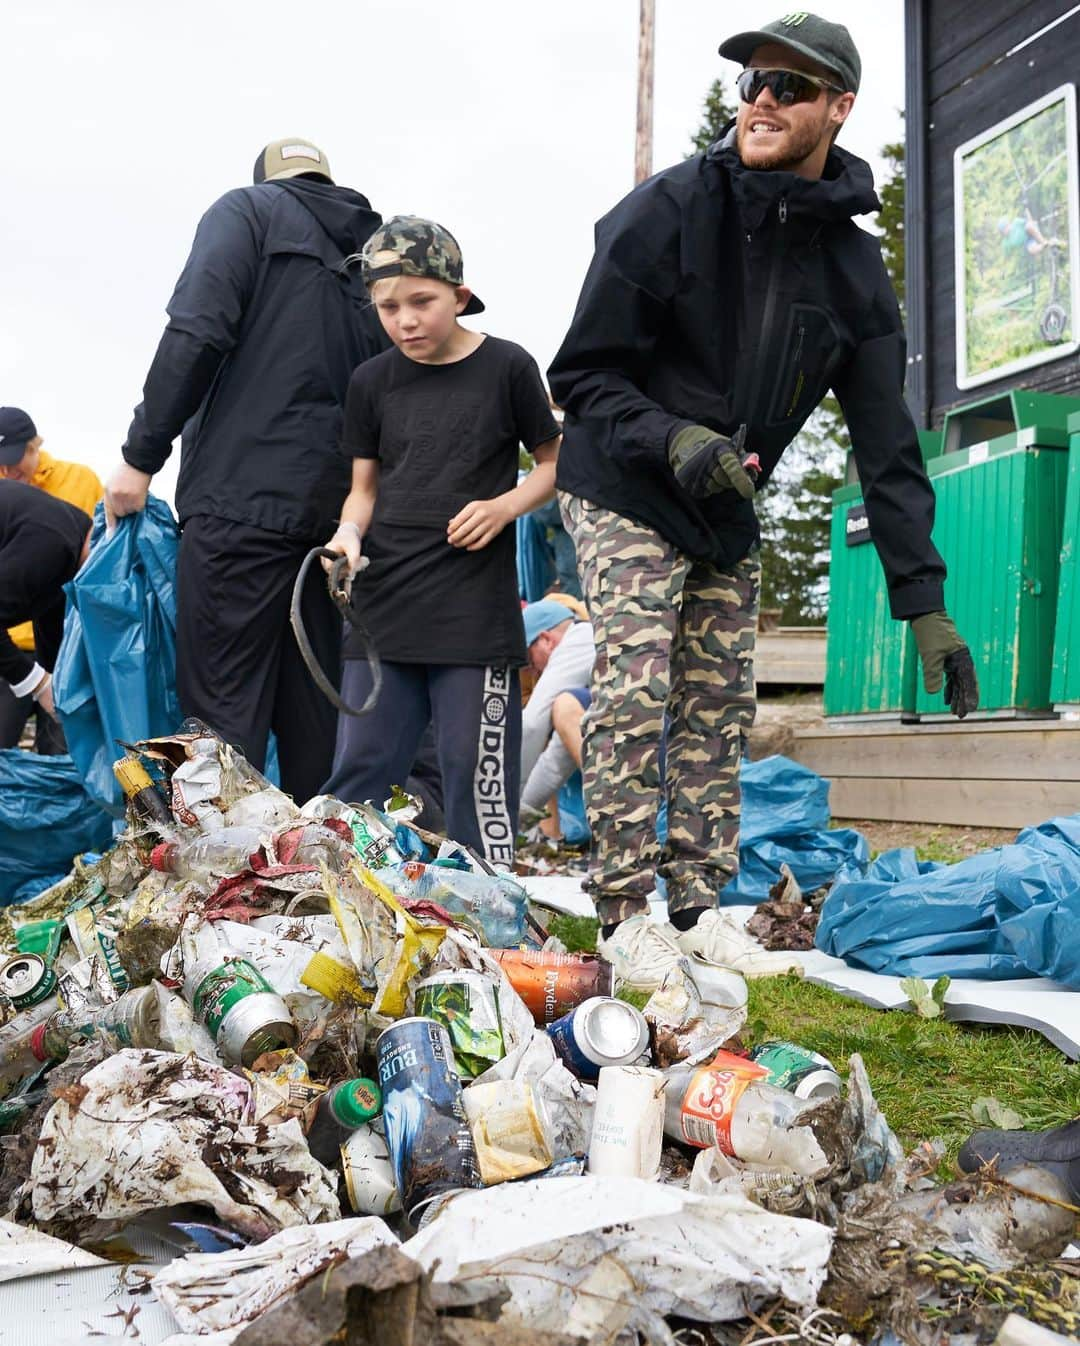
[{"x": 511, "y": 1130}]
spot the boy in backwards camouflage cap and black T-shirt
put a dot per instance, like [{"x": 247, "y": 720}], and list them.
[{"x": 434, "y": 429}]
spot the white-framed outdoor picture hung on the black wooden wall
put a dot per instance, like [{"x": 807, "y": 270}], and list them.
[{"x": 1019, "y": 243}]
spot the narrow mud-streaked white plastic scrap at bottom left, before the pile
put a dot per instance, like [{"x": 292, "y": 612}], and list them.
[{"x": 216, "y": 1291}]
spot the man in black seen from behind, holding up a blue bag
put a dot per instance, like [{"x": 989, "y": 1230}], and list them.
[{"x": 266, "y": 328}]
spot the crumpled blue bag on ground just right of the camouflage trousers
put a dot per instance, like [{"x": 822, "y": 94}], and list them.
[{"x": 786, "y": 822}]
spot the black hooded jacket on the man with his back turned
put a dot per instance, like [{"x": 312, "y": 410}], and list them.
[{"x": 266, "y": 329}]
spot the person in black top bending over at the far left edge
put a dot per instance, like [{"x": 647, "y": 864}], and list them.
[{"x": 44, "y": 542}]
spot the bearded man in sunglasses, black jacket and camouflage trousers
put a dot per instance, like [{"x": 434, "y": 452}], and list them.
[{"x": 725, "y": 298}]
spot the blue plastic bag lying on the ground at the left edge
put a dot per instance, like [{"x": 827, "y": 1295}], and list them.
[{"x": 46, "y": 820}]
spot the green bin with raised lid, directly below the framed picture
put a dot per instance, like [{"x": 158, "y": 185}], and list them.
[{"x": 999, "y": 528}]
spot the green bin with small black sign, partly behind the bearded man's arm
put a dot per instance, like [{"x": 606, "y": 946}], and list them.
[{"x": 869, "y": 658}]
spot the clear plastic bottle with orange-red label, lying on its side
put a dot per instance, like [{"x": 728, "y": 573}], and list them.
[{"x": 725, "y": 1103}]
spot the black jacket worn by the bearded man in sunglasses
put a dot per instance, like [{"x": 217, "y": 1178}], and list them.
[{"x": 721, "y": 295}]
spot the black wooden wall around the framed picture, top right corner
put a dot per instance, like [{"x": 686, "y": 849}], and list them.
[{"x": 964, "y": 77}]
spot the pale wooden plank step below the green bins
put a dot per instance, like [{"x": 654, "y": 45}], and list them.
[{"x": 994, "y": 775}]
